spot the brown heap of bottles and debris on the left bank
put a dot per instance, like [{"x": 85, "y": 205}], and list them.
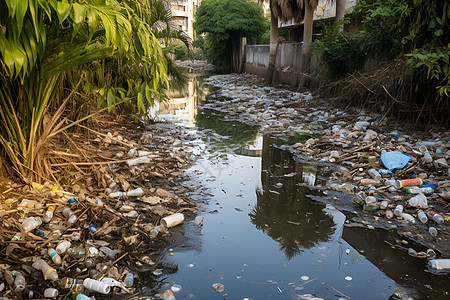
[{"x": 81, "y": 240}]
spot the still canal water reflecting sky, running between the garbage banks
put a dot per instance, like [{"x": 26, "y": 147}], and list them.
[{"x": 267, "y": 226}]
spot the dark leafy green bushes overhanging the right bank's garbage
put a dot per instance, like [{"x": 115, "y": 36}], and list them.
[{"x": 409, "y": 36}]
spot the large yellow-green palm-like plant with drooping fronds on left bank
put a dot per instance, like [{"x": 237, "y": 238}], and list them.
[{"x": 54, "y": 51}]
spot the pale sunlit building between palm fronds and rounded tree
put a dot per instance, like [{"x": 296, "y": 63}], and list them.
[{"x": 184, "y": 11}]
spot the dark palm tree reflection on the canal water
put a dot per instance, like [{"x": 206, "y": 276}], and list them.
[{"x": 283, "y": 210}]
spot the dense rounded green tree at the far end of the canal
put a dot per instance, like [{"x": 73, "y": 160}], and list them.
[{"x": 225, "y": 22}]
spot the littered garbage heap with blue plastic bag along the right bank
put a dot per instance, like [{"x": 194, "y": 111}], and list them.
[{"x": 402, "y": 178}]
